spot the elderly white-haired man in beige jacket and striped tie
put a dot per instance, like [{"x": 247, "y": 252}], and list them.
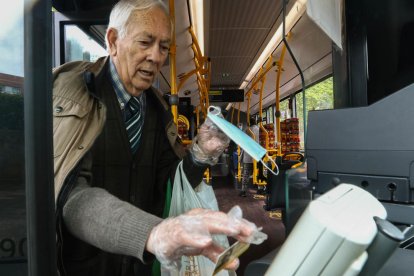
[{"x": 116, "y": 150}]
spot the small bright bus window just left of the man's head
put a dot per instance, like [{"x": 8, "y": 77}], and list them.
[{"x": 80, "y": 46}]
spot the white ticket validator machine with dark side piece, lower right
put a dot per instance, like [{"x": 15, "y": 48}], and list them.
[{"x": 343, "y": 232}]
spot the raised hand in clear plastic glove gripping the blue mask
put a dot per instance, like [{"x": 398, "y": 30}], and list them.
[{"x": 209, "y": 143}]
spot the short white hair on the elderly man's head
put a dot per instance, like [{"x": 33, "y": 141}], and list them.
[{"x": 121, "y": 12}]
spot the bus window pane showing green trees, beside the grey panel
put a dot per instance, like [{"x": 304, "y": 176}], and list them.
[{"x": 318, "y": 97}]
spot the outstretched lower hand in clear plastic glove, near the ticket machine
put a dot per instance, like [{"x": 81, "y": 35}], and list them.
[{"x": 190, "y": 234}]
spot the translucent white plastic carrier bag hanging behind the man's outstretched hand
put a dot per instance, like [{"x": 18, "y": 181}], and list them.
[{"x": 183, "y": 199}]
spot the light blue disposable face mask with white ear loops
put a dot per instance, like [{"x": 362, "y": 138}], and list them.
[{"x": 249, "y": 145}]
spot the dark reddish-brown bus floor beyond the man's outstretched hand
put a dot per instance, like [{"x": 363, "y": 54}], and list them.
[{"x": 227, "y": 195}]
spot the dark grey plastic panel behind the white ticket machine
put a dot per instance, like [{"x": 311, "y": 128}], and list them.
[{"x": 371, "y": 146}]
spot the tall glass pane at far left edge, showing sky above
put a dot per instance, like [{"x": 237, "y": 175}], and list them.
[{"x": 13, "y": 243}]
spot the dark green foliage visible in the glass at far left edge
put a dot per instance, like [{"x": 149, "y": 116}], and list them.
[{"x": 11, "y": 111}]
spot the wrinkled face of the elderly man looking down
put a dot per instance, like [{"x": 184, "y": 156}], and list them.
[{"x": 138, "y": 56}]
